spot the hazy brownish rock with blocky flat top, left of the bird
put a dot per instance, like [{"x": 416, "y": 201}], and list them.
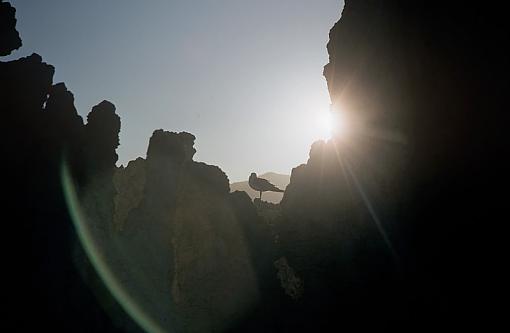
[{"x": 205, "y": 253}]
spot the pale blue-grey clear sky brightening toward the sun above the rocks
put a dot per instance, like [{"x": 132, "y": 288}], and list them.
[{"x": 243, "y": 76}]
